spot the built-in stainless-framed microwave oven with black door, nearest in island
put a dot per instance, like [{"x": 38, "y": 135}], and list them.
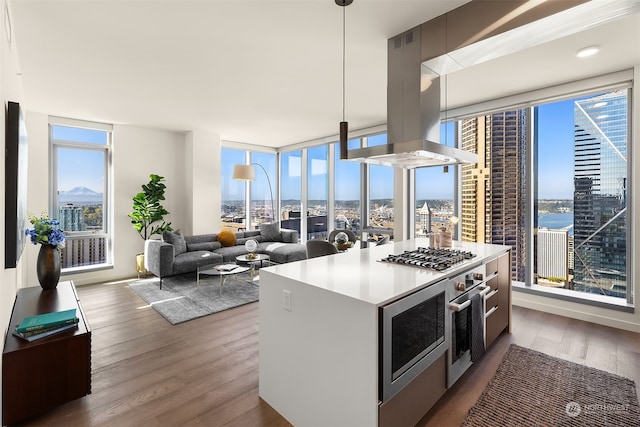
[{"x": 414, "y": 332}]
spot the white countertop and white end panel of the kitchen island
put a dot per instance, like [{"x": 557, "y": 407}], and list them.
[{"x": 318, "y": 320}]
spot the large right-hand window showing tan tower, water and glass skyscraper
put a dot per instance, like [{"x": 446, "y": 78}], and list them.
[{"x": 564, "y": 164}]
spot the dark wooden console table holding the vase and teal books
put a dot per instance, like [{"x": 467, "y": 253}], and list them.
[{"x": 40, "y": 375}]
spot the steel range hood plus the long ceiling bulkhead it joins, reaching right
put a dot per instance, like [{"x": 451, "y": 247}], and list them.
[{"x": 478, "y": 31}]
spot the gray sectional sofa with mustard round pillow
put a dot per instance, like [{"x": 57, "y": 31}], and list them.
[{"x": 177, "y": 254}]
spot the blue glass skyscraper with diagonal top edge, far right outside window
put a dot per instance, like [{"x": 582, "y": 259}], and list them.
[{"x": 600, "y": 194}]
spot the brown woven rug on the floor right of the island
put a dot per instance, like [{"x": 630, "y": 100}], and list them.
[{"x": 533, "y": 389}]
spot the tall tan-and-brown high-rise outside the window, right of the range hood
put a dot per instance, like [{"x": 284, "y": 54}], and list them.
[{"x": 493, "y": 190}]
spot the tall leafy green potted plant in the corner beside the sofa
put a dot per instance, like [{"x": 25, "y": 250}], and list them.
[{"x": 148, "y": 214}]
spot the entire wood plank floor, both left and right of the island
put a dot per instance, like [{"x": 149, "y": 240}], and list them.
[{"x": 149, "y": 373}]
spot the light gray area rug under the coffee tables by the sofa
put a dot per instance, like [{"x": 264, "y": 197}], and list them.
[{"x": 180, "y": 300}]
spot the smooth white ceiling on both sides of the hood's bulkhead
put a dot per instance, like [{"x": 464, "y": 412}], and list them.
[{"x": 263, "y": 72}]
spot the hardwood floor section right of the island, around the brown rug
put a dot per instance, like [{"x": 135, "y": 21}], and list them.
[{"x": 609, "y": 349}]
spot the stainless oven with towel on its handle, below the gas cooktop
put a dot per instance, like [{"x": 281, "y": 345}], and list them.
[{"x": 466, "y": 314}]
